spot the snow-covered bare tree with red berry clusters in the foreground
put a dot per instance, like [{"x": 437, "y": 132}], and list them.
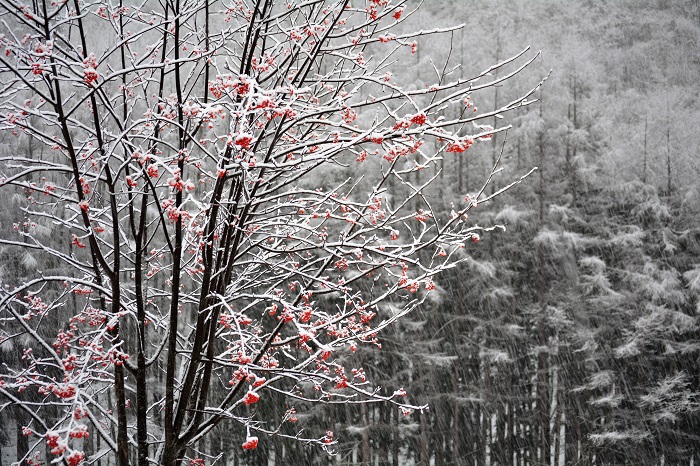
[{"x": 209, "y": 249}]
